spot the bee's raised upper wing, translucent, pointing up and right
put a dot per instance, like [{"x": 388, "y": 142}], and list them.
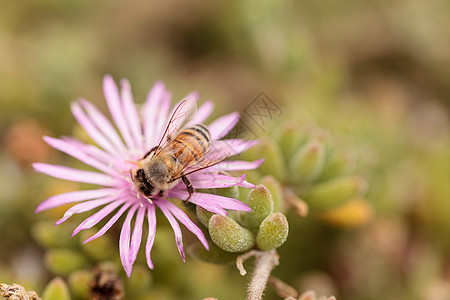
[{"x": 178, "y": 117}]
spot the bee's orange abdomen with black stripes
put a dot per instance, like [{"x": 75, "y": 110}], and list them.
[{"x": 191, "y": 143}]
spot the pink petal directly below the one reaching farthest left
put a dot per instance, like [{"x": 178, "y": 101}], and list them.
[{"x": 76, "y": 196}]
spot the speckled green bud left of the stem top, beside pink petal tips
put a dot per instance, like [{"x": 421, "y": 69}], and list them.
[{"x": 229, "y": 235}]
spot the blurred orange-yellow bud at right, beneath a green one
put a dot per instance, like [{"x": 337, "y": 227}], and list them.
[{"x": 354, "y": 213}]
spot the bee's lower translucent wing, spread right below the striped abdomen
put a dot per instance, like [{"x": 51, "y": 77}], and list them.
[{"x": 212, "y": 157}]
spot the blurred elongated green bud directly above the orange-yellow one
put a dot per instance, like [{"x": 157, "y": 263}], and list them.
[{"x": 335, "y": 192}]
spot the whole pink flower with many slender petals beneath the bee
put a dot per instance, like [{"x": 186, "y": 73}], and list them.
[{"x": 139, "y": 129}]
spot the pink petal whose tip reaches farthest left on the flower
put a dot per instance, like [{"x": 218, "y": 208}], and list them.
[{"x": 75, "y": 174}]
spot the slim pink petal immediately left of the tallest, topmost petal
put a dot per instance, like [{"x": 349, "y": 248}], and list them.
[{"x": 103, "y": 124}]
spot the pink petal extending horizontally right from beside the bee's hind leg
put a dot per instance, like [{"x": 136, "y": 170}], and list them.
[{"x": 211, "y": 181}]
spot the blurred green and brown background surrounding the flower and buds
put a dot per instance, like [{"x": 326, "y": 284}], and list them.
[{"x": 374, "y": 74}]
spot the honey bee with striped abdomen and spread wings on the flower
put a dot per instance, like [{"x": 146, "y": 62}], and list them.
[{"x": 179, "y": 153}]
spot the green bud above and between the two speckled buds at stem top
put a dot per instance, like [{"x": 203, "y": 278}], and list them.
[{"x": 260, "y": 201}]
